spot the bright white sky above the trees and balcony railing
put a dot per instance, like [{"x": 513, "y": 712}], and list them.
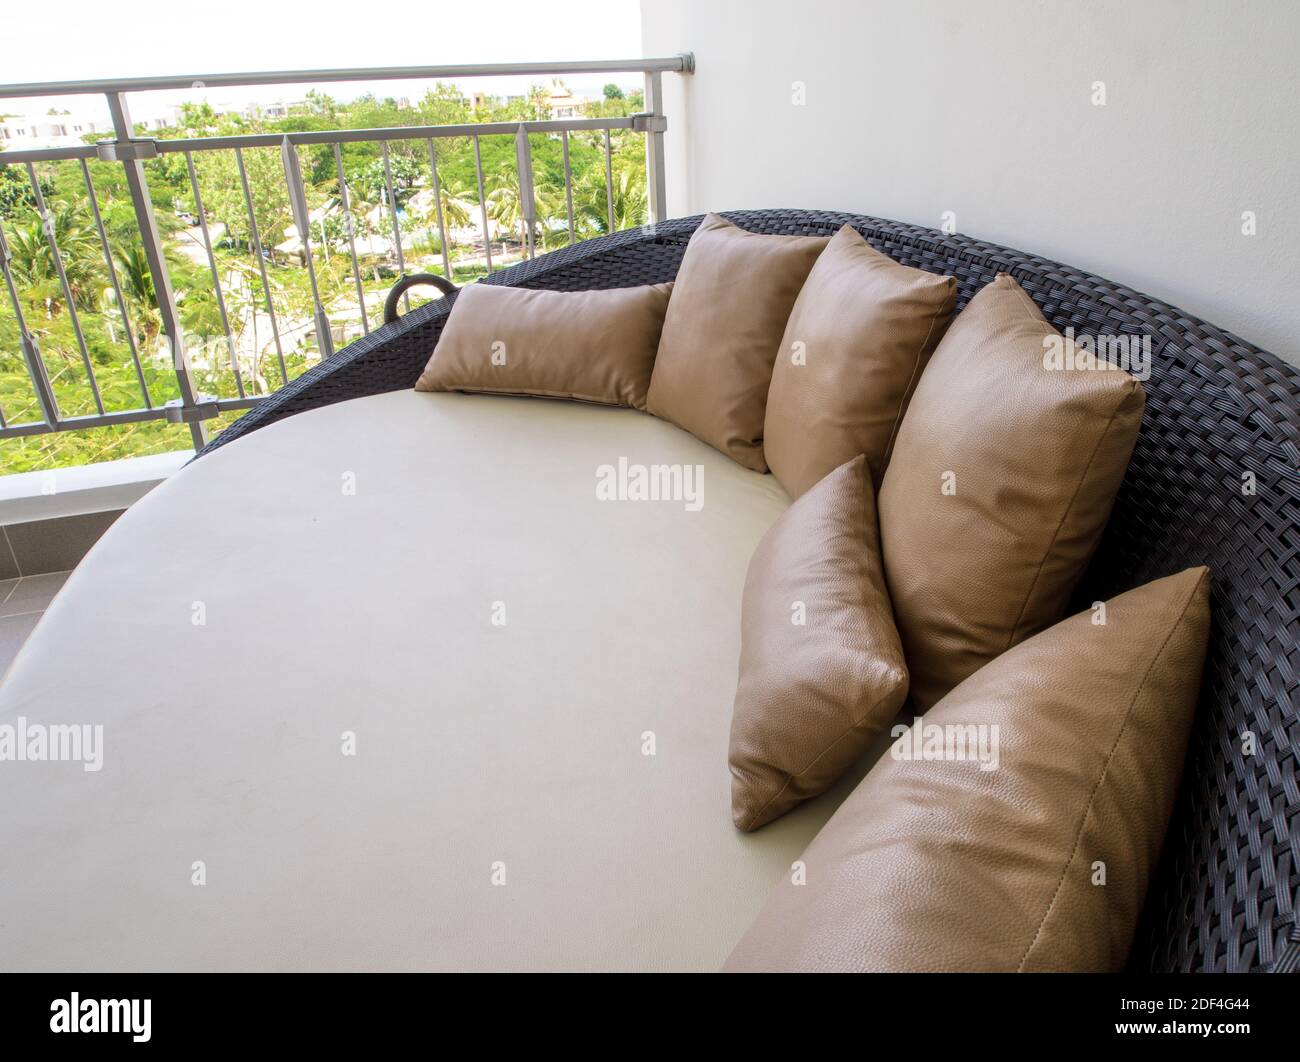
[{"x": 80, "y": 40}]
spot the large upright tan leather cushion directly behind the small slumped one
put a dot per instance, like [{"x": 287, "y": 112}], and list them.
[{"x": 999, "y": 487}]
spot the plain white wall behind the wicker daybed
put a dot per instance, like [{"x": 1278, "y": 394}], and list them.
[{"x": 918, "y": 107}]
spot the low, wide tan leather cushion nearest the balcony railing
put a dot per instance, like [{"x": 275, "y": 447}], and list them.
[{"x": 596, "y": 346}]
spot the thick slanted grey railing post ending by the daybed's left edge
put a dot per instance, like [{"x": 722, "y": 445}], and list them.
[{"x": 132, "y": 157}]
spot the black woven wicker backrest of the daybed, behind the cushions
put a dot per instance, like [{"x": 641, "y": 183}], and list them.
[{"x": 1225, "y": 895}]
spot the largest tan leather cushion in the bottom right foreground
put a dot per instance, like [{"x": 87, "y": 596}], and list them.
[{"x": 1038, "y": 865}]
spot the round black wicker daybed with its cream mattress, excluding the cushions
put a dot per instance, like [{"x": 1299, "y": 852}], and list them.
[{"x": 311, "y": 704}]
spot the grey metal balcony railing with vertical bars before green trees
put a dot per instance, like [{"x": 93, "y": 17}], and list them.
[{"x": 317, "y": 332}]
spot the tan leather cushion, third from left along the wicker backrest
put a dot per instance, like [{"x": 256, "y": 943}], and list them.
[{"x": 859, "y": 337}]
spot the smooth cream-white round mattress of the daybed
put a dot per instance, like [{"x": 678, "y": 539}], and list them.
[{"x": 476, "y": 745}]
